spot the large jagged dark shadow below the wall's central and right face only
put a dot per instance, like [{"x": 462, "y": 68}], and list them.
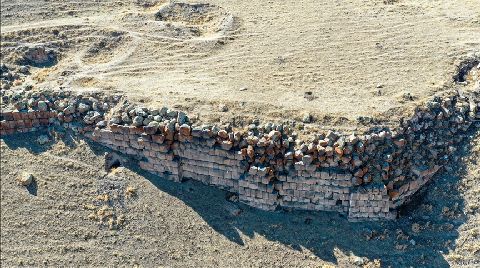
[{"x": 322, "y": 232}]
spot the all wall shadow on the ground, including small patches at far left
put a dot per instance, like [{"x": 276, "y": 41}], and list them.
[{"x": 324, "y": 233}]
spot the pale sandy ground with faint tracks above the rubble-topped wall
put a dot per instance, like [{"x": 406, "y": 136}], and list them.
[{"x": 356, "y": 58}]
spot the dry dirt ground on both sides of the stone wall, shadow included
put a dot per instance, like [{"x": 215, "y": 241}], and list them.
[{"x": 254, "y": 59}]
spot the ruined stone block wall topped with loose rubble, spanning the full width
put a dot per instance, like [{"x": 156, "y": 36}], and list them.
[{"x": 362, "y": 176}]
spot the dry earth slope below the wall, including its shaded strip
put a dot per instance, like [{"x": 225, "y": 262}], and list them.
[{"x": 79, "y": 214}]
